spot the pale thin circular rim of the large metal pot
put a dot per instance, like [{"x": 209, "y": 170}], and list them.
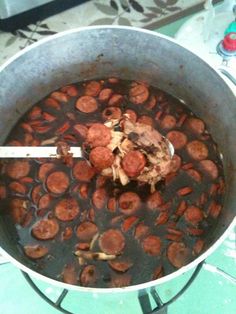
[{"x": 148, "y": 284}]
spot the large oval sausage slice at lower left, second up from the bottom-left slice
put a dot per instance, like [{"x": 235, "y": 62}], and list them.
[{"x": 45, "y": 229}]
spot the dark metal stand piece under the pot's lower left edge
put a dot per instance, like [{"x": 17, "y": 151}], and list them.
[{"x": 57, "y": 303}]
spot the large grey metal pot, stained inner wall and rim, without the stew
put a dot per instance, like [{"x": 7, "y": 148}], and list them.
[{"x": 129, "y": 53}]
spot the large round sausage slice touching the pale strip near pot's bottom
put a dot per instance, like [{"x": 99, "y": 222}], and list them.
[{"x": 112, "y": 241}]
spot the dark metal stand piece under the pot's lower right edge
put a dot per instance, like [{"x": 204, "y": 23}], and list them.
[{"x": 162, "y": 308}]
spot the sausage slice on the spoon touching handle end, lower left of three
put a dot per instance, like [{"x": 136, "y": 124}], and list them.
[{"x": 101, "y": 157}]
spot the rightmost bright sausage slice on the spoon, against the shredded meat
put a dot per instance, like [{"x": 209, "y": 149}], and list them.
[{"x": 133, "y": 163}]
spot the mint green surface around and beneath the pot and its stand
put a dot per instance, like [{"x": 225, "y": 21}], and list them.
[{"x": 210, "y": 293}]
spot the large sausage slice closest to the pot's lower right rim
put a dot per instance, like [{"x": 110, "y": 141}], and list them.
[{"x": 178, "y": 254}]
